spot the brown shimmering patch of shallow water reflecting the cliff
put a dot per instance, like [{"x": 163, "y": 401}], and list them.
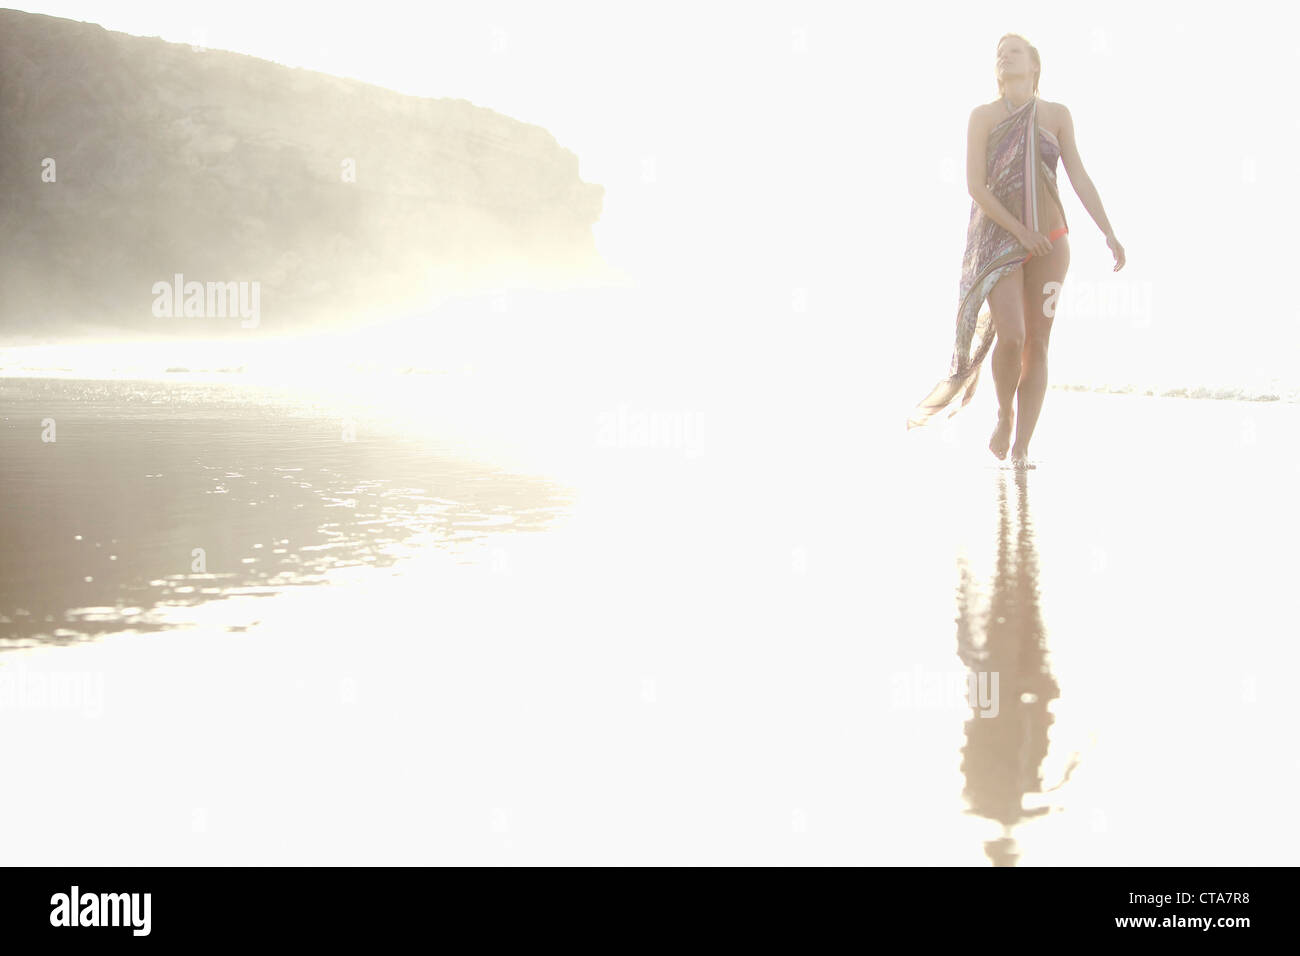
[{"x": 133, "y": 503}]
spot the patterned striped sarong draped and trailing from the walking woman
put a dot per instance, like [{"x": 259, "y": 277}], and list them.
[{"x": 1022, "y": 181}]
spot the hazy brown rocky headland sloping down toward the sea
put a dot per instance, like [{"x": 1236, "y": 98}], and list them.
[{"x": 340, "y": 200}]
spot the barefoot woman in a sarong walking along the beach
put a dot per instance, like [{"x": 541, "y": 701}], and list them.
[{"x": 1017, "y": 253}]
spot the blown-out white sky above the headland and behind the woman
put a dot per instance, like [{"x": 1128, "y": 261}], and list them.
[{"x": 837, "y": 168}]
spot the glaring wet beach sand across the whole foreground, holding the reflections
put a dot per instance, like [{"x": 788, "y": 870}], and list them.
[{"x": 748, "y": 646}]
